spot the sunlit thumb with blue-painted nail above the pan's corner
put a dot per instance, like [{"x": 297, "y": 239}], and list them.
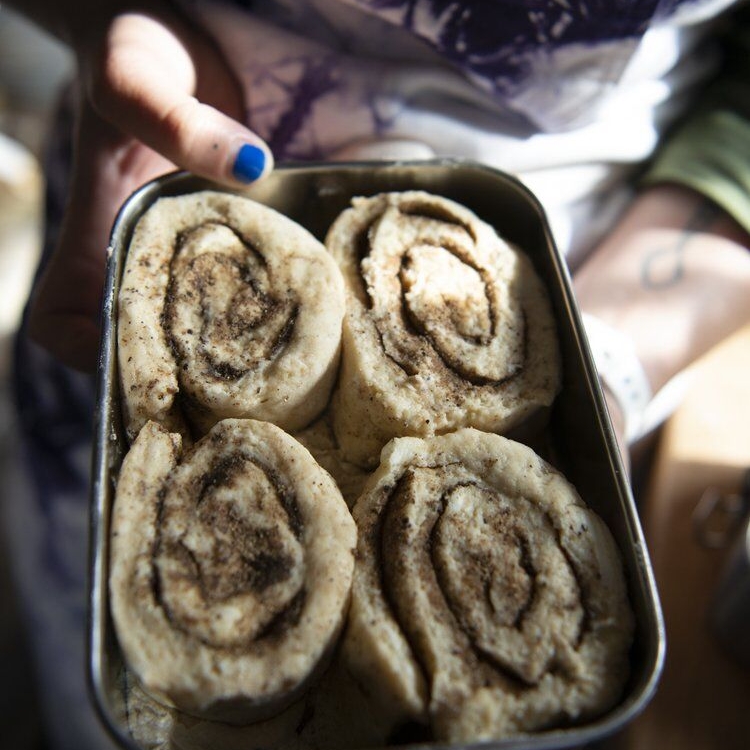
[{"x": 147, "y": 87}]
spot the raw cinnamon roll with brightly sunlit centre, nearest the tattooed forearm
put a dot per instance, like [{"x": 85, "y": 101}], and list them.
[{"x": 447, "y": 325}]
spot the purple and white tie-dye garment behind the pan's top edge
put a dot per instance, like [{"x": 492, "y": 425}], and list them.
[{"x": 559, "y": 92}]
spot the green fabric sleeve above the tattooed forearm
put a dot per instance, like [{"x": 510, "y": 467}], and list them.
[{"x": 710, "y": 151}]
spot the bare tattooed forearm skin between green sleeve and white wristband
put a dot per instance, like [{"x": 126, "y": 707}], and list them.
[{"x": 674, "y": 276}]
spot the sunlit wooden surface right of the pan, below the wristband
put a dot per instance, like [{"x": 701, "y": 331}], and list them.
[{"x": 703, "y": 700}]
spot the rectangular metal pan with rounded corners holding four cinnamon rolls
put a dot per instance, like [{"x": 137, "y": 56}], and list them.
[{"x": 579, "y": 430}]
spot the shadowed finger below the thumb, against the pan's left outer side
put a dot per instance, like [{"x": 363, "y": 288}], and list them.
[{"x": 65, "y": 310}]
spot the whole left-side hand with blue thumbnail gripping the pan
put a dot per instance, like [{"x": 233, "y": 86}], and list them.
[{"x": 154, "y": 95}]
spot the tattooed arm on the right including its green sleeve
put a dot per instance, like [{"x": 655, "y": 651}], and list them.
[{"x": 674, "y": 274}]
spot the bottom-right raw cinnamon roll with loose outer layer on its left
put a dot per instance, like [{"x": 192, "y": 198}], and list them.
[{"x": 488, "y": 600}]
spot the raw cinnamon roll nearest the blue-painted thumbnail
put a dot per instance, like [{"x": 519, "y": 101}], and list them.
[{"x": 226, "y": 309}]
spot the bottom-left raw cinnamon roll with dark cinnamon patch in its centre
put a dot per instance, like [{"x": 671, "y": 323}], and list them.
[{"x": 230, "y": 570}]
